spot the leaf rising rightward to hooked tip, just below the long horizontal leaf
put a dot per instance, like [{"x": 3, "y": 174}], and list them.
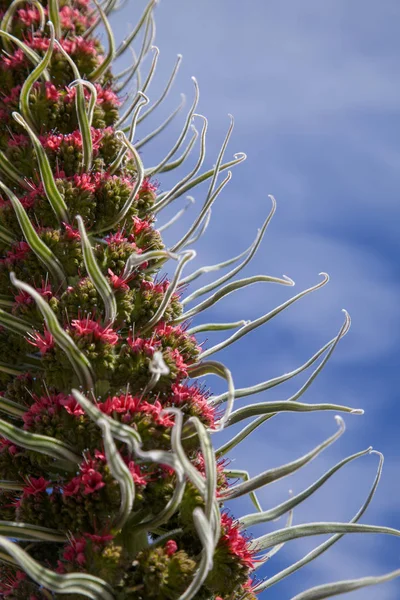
[{"x": 280, "y": 472}]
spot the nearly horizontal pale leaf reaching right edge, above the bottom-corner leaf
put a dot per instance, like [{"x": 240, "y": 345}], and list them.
[{"x": 309, "y": 529}]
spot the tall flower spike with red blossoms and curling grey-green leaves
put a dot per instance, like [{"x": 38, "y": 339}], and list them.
[{"x": 109, "y": 484}]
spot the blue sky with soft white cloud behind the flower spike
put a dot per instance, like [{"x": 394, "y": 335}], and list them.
[{"x": 315, "y": 92}]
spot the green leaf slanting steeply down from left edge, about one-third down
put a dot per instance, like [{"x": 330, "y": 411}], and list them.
[{"x": 43, "y": 252}]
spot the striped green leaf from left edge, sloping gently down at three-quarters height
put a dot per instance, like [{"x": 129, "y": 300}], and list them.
[{"x": 38, "y": 443}]
